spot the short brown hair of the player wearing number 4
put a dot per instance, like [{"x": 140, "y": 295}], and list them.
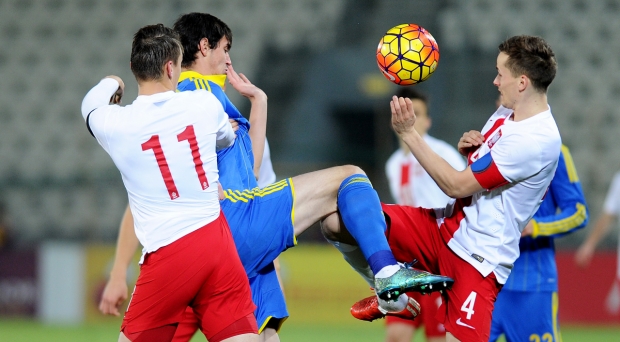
[{"x": 532, "y": 57}]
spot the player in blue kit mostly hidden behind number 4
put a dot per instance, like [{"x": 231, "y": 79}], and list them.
[{"x": 527, "y": 307}]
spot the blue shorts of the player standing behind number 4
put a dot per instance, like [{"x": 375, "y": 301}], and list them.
[{"x": 526, "y": 316}]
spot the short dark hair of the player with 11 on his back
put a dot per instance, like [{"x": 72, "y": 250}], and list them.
[{"x": 153, "y": 46}]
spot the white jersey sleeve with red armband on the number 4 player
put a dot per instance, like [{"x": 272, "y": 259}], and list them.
[{"x": 507, "y": 162}]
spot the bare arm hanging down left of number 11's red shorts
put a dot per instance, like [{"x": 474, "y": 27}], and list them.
[{"x": 115, "y": 292}]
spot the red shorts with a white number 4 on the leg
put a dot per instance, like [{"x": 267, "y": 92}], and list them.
[{"x": 413, "y": 233}]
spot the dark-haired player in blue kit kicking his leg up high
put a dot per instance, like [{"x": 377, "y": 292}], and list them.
[{"x": 265, "y": 221}]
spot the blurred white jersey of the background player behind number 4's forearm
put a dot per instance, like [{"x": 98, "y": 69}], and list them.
[{"x": 411, "y": 185}]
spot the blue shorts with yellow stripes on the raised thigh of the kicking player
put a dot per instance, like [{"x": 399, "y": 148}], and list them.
[{"x": 261, "y": 222}]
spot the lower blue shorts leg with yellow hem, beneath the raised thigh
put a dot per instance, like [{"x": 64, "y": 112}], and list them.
[{"x": 268, "y": 298}]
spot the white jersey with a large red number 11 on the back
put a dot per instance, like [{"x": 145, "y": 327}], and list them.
[{"x": 164, "y": 146}]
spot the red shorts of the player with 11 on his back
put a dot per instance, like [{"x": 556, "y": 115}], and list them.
[{"x": 201, "y": 270}]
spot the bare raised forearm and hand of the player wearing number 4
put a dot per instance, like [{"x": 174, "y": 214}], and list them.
[{"x": 455, "y": 184}]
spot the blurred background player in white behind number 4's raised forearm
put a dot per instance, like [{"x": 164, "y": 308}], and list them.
[{"x": 411, "y": 185}]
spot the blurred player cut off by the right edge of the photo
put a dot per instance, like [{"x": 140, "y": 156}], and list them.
[{"x": 609, "y": 216}]
